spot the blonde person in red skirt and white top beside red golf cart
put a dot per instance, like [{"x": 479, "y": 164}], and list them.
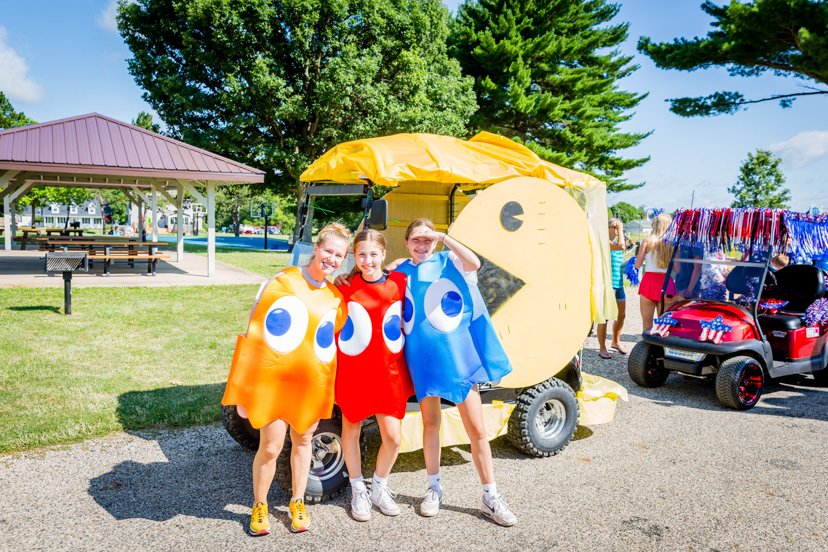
[{"x": 654, "y": 254}]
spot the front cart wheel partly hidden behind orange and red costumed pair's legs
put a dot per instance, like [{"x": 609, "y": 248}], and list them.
[{"x": 328, "y": 476}]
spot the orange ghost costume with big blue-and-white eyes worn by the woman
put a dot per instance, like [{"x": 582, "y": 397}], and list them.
[{"x": 285, "y": 366}]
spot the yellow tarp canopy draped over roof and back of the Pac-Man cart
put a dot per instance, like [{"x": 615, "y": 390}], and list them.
[{"x": 484, "y": 160}]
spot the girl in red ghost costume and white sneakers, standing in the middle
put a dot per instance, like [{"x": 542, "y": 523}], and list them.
[{"x": 372, "y": 377}]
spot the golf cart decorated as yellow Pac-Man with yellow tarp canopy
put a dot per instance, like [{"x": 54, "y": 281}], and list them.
[{"x": 499, "y": 199}]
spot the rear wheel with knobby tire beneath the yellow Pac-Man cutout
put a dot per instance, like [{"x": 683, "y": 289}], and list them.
[{"x": 545, "y": 418}]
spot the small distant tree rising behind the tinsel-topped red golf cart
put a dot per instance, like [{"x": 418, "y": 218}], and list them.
[{"x": 760, "y": 183}]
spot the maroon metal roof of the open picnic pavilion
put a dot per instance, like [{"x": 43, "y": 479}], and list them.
[{"x": 100, "y": 150}]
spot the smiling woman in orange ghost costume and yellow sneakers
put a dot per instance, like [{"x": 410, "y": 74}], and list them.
[{"x": 284, "y": 369}]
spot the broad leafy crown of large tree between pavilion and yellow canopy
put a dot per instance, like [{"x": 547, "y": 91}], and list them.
[{"x": 276, "y": 83}]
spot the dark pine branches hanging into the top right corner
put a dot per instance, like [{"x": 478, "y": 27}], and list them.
[{"x": 785, "y": 37}]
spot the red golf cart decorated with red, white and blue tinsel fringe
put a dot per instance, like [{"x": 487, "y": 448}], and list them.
[{"x": 736, "y": 319}]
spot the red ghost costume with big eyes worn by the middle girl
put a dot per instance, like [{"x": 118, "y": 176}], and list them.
[{"x": 372, "y": 377}]
